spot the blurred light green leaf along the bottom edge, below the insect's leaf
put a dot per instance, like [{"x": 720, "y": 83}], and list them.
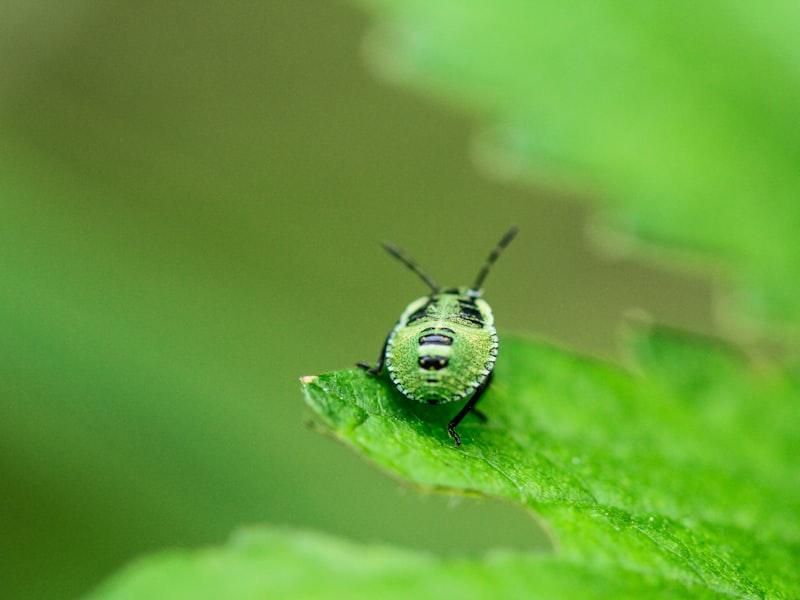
[{"x": 276, "y": 564}]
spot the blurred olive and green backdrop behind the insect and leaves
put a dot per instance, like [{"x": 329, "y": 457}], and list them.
[{"x": 192, "y": 196}]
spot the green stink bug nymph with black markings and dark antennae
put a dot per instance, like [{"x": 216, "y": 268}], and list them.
[{"x": 445, "y": 344}]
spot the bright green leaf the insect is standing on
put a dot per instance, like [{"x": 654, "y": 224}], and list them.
[{"x": 683, "y": 471}]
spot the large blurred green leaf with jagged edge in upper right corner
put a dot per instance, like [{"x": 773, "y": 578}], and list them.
[{"x": 680, "y": 117}]
